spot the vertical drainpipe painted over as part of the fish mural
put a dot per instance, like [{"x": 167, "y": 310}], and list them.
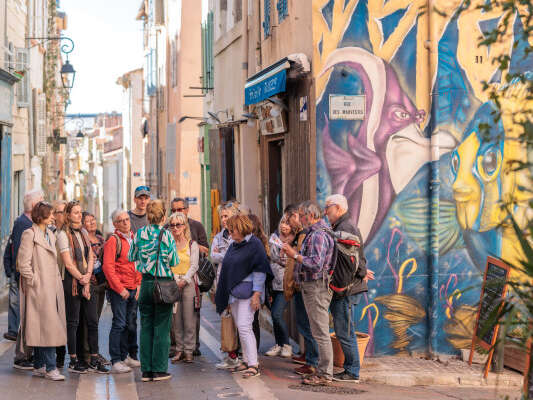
[{"x": 434, "y": 189}]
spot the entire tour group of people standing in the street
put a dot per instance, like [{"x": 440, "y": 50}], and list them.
[{"x": 61, "y": 271}]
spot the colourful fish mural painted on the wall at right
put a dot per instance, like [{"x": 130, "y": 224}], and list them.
[{"x": 399, "y": 133}]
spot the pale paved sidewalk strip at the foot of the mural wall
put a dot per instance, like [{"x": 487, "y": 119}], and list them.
[{"x": 411, "y": 371}]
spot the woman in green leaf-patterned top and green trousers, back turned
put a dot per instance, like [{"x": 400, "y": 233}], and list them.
[{"x": 155, "y": 318}]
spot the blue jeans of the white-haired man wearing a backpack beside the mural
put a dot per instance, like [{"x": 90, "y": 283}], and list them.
[{"x": 342, "y": 313}]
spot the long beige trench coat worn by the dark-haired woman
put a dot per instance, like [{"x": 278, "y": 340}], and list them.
[{"x": 42, "y": 300}]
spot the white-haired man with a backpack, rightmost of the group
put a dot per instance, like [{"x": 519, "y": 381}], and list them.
[{"x": 342, "y": 305}]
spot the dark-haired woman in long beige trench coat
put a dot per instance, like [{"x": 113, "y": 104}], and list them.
[{"x": 42, "y": 307}]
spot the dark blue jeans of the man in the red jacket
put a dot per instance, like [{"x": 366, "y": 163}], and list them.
[{"x": 123, "y": 326}]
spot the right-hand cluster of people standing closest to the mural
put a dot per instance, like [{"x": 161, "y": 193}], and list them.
[{"x": 296, "y": 262}]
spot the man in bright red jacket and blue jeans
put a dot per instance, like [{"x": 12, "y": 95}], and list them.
[{"x": 124, "y": 282}]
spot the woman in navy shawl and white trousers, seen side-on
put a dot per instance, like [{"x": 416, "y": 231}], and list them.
[{"x": 241, "y": 287}]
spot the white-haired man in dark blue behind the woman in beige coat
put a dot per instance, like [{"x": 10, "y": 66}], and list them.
[{"x": 22, "y": 223}]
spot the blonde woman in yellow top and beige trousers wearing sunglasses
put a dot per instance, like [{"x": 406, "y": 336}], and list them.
[{"x": 184, "y": 318}]
